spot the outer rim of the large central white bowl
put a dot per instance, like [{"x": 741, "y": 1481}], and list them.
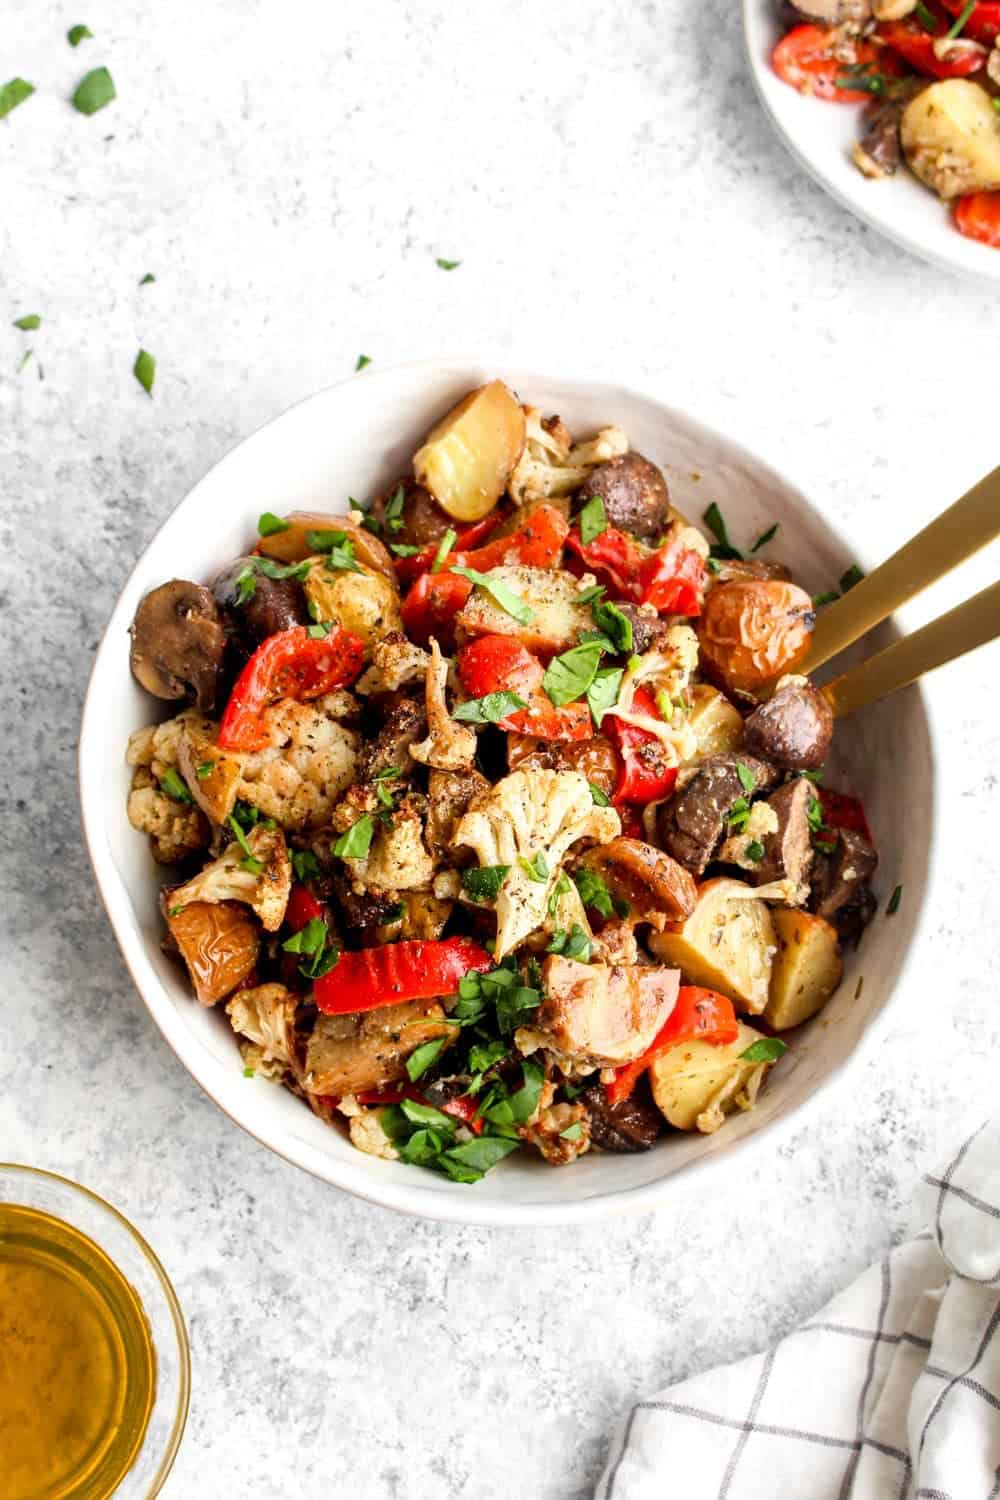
[{"x": 359, "y": 1180}]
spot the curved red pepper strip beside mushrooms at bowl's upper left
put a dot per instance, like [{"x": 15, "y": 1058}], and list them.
[{"x": 290, "y": 664}]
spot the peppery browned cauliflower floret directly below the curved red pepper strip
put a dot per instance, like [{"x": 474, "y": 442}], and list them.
[{"x": 311, "y": 760}]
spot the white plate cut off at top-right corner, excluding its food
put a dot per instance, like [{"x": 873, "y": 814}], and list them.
[{"x": 821, "y": 136}]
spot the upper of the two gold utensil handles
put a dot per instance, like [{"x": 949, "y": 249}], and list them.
[{"x": 957, "y": 535}]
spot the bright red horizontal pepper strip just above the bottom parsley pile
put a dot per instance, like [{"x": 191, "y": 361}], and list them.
[{"x": 397, "y": 973}]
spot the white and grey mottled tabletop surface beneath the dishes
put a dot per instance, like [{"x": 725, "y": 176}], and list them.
[{"x": 290, "y": 175}]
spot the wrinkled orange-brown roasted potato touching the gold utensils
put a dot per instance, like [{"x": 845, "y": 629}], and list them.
[{"x": 752, "y": 632}]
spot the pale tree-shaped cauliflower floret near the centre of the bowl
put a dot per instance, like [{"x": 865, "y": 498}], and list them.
[{"x": 527, "y": 823}]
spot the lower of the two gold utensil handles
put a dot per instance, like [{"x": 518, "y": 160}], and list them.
[{"x": 963, "y": 629}]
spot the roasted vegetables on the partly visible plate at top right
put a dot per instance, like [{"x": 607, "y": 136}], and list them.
[{"x": 929, "y": 74}]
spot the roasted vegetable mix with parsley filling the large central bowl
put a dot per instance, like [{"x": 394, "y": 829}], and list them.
[{"x": 494, "y": 814}]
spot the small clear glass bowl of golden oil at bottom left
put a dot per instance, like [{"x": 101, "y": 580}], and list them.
[{"x": 95, "y": 1369}]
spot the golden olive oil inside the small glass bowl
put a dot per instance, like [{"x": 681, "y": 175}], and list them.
[{"x": 77, "y": 1363}]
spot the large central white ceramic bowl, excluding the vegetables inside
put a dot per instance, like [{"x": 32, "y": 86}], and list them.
[{"x": 352, "y": 440}]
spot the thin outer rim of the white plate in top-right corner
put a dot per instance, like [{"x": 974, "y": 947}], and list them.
[{"x": 963, "y": 263}]
